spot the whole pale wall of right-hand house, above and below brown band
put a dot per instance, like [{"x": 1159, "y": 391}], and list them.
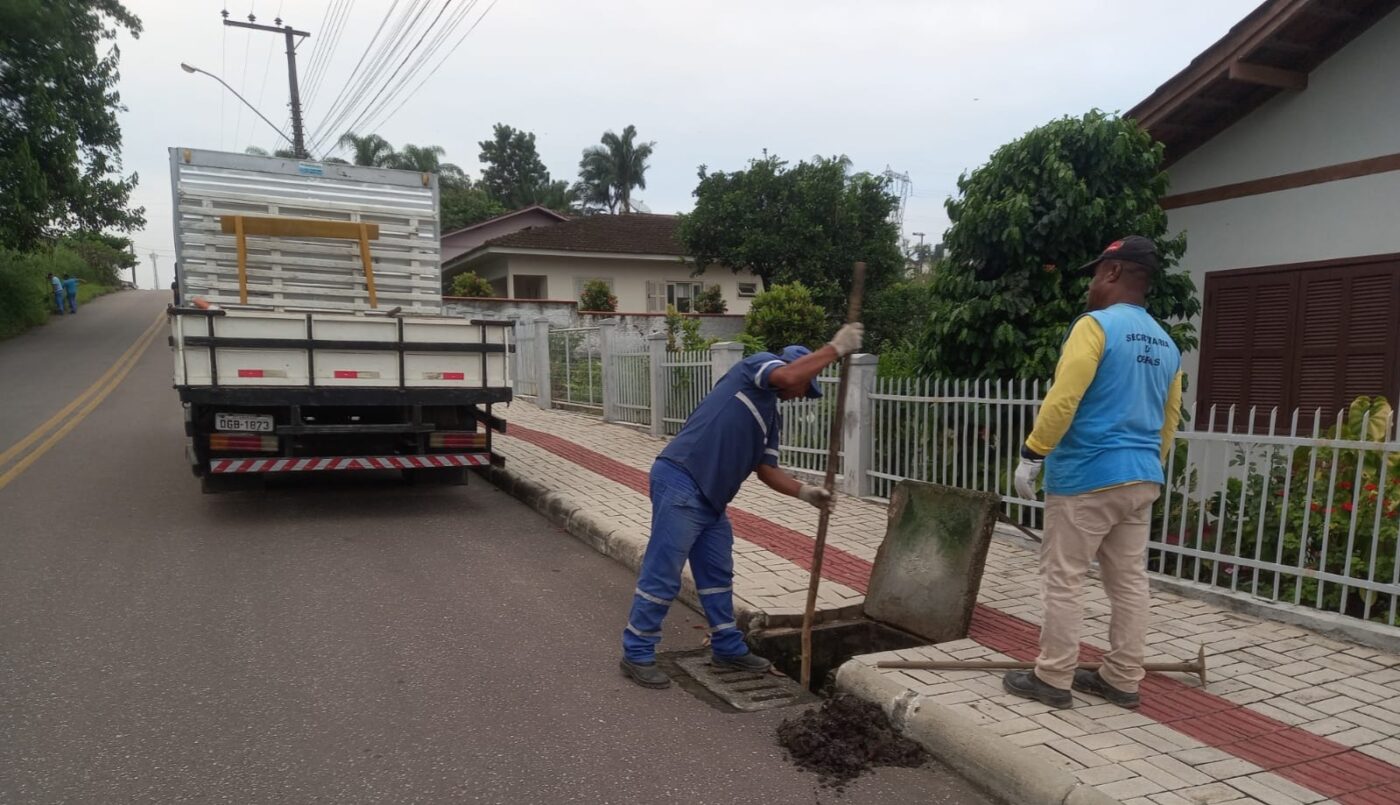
[{"x": 1350, "y": 111}]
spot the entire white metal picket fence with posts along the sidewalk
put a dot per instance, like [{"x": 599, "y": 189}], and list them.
[{"x": 1300, "y": 509}]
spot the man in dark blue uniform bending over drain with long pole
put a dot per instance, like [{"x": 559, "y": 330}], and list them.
[{"x": 731, "y": 435}]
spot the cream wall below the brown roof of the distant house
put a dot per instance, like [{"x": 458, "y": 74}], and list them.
[{"x": 629, "y": 276}]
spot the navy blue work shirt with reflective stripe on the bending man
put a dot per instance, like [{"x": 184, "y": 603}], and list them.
[{"x": 733, "y": 430}]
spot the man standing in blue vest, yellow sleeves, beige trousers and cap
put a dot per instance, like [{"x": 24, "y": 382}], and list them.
[{"x": 1102, "y": 435}]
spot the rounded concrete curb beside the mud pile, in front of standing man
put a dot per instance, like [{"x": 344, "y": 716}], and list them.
[{"x": 997, "y": 765}]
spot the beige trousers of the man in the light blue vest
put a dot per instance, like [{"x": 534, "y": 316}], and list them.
[{"x": 1111, "y": 524}]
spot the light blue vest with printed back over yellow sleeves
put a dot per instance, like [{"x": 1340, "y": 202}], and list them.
[{"x": 1116, "y": 433}]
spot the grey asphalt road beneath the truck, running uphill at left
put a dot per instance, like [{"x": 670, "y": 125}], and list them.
[{"x": 328, "y": 640}]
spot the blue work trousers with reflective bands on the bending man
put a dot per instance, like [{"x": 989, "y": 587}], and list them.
[{"x": 684, "y": 526}]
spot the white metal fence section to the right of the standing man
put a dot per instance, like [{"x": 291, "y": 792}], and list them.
[{"x": 1301, "y": 509}]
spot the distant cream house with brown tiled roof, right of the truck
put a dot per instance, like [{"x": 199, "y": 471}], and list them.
[{"x": 638, "y": 255}]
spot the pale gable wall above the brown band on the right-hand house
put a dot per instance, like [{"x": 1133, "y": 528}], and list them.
[{"x": 1350, "y": 111}]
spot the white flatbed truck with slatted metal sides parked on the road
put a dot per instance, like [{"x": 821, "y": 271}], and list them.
[{"x": 309, "y": 330}]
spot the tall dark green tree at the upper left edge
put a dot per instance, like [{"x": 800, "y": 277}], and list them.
[{"x": 59, "y": 138}]
